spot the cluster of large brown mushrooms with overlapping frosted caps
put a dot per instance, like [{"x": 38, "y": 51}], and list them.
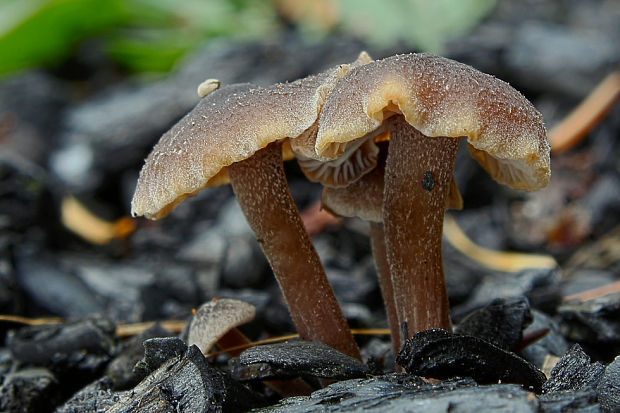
[{"x": 380, "y": 136}]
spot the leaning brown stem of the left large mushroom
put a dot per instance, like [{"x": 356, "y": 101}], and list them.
[{"x": 262, "y": 190}]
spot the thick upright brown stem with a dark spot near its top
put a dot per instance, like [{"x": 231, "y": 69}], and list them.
[{"x": 417, "y": 182}]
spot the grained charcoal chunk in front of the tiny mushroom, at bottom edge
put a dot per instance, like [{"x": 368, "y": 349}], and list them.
[{"x": 187, "y": 385}]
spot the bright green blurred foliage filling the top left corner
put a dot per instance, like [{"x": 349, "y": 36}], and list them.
[{"x": 143, "y": 35}]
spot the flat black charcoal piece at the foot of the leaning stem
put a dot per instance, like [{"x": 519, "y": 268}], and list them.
[{"x": 293, "y": 359}]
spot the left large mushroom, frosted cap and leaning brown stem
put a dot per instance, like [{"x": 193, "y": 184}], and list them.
[{"x": 237, "y": 134}]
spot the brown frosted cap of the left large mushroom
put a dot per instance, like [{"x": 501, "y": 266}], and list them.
[{"x": 228, "y": 125}]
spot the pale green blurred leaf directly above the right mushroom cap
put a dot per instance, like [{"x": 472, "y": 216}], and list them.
[{"x": 425, "y": 24}]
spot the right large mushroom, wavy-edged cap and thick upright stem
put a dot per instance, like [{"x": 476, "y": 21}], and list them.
[{"x": 425, "y": 102}]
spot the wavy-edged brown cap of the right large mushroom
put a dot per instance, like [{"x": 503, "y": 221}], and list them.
[{"x": 441, "y": 97}]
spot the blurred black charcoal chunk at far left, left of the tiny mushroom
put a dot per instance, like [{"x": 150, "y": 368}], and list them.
[{"x": 83, "y": 344}]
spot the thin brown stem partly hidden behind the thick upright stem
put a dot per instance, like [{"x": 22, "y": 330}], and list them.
[{"x": 377, "y": 243}]
